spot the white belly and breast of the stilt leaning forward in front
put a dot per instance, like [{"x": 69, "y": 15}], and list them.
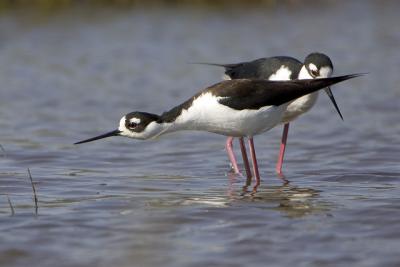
[{"x": 206, "y": 114}]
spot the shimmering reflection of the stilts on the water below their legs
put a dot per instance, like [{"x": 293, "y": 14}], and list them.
[{"x": 290, "y": 200}]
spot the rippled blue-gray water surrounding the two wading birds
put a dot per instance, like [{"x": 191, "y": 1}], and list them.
[{"x": 171, "y": 202}]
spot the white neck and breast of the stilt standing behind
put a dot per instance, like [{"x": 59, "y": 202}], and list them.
[{"x": 302, "y": 104}]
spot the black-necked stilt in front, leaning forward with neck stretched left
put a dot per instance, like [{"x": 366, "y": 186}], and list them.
[{"x": 238, "y": 108}]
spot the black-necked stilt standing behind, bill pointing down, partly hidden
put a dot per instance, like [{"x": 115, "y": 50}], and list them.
[{"x": 316, "y": 65}]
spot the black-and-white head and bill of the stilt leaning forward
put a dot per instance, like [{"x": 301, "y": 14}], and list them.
[{"x": 136, "y": 125}]
